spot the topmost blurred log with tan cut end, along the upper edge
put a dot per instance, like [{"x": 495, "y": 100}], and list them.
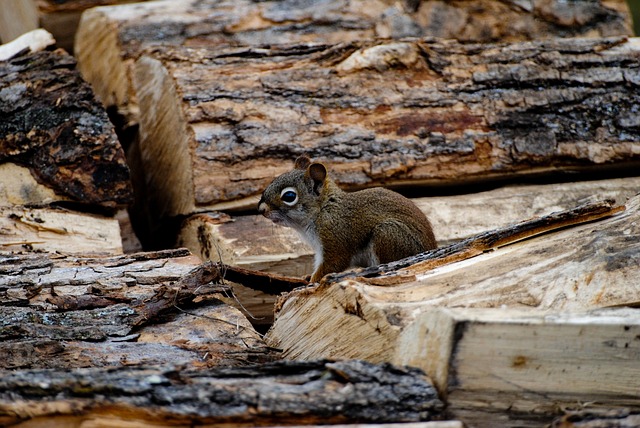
[{"x": 109, "y": 39}]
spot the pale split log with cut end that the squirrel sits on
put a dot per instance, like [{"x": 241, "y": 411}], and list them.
[{"x": 582, "y": 267}]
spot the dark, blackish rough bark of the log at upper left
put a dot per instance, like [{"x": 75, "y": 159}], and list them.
[{"x": 52, "y": 124}]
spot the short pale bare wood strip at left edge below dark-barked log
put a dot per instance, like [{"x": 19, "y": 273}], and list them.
[{"x": 58, "y": 230}]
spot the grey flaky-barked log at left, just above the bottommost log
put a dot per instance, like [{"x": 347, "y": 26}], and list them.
[{"x": 146, "y": 308}]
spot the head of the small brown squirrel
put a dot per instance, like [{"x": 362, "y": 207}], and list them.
[{"x": 294, "y": 198}]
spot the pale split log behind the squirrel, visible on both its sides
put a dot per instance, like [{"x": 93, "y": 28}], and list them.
[{"x": 254, "y": 242}]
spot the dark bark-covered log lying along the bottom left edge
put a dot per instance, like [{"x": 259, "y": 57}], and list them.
[{"x": 282, "y": 393}]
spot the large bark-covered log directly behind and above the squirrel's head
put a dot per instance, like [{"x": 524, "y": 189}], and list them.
[{"x": 420, "y": 112}]
